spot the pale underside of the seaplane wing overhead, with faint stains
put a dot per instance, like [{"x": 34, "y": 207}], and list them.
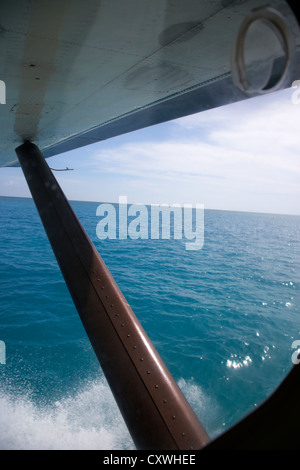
[{"x": 74, "y": 73}]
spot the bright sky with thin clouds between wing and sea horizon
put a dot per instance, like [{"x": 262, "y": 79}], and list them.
[{"x": 242, "y": 157}]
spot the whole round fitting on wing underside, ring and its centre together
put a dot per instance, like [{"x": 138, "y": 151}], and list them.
[{"x": 262, "y": 53}]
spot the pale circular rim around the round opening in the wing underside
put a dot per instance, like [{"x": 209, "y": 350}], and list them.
[{"x": 267, "y": 17}]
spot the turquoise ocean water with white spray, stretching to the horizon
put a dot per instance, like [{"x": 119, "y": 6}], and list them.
[{"x": 223, "y": 318}]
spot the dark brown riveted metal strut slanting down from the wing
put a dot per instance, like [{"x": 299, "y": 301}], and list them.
[{"x": 154, "y": 409}]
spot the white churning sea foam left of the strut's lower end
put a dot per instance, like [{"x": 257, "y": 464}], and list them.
[{"x": 89, "y": 420}]
